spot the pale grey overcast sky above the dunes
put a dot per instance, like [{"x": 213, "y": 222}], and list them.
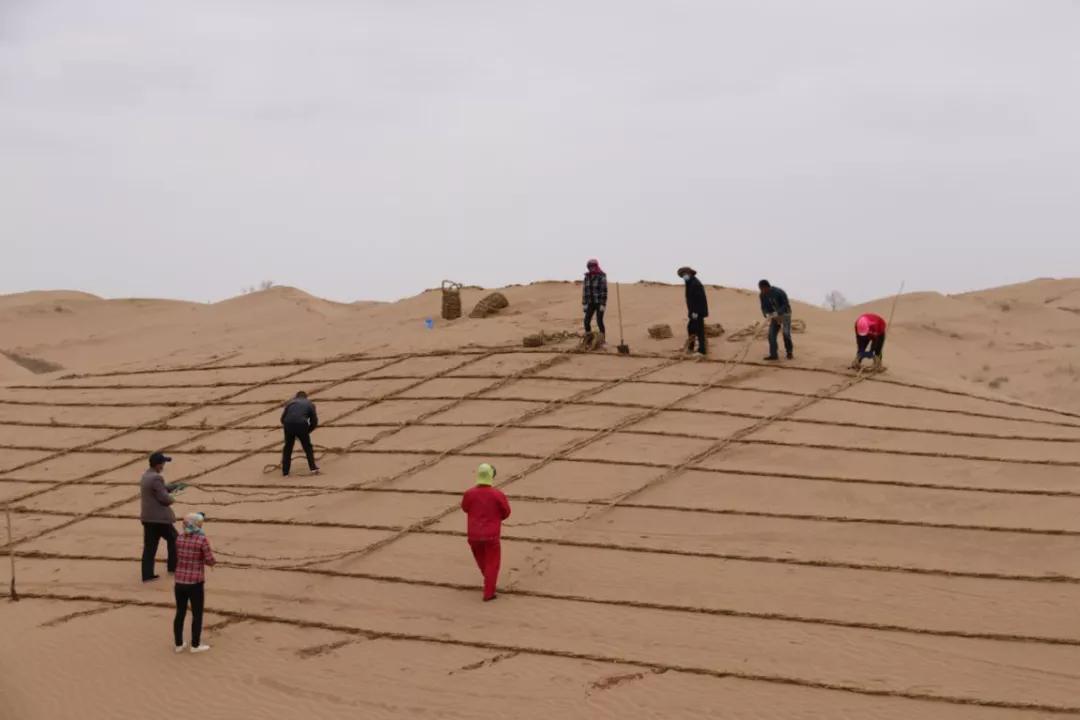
[{"x": 364, "y": 150}]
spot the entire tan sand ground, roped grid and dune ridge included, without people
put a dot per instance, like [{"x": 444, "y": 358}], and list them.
[{"x": 721, "y": 539}]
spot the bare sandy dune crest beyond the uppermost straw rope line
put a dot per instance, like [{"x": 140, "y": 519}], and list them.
[{"x": 1022, "y": 339}]
